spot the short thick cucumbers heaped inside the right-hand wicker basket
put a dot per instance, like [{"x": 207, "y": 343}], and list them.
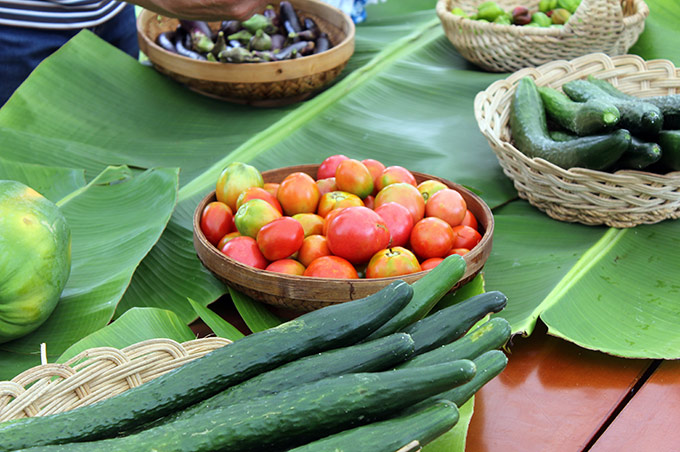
[{"x": 591, "y": 124}]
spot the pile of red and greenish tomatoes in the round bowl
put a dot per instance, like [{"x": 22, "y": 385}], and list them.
[{"x": 356, "y": 219}]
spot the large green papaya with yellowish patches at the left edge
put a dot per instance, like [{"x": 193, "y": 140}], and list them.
[{"x": 35, "y": 258}]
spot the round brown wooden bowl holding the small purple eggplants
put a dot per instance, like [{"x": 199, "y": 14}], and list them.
[{"x": 260, "y": 84}]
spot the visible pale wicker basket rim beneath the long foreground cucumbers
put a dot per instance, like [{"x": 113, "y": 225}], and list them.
[{"x": 95, "y": 374}]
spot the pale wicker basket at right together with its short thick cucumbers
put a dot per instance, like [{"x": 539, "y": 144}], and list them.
[{"x": 594, "y": 140}]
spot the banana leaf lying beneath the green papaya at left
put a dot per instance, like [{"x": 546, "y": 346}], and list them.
[{"x": 115, "y": 219}]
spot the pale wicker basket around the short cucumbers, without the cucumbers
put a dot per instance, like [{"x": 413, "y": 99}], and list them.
[{"x": 622, "y": 199}]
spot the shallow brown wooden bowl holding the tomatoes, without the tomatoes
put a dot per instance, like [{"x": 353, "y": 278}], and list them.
[{"x": 302, "y": 293}]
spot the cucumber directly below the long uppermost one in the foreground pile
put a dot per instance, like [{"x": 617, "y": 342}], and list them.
[{"x": 379, "y": 354}]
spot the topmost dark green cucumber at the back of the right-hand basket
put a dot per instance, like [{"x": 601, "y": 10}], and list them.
[{"x": 639, "y": 117}]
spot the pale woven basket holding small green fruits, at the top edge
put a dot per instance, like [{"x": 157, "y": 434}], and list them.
[{"x": 606, "y": 26}]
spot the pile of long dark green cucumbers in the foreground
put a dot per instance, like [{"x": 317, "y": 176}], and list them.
[{"x": 320, "y": 382}]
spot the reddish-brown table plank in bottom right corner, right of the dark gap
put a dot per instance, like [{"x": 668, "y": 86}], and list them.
[{"x": 650, "y": 420}]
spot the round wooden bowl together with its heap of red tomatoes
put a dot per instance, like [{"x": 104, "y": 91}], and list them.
[{"x": 271, "y": 266}]
